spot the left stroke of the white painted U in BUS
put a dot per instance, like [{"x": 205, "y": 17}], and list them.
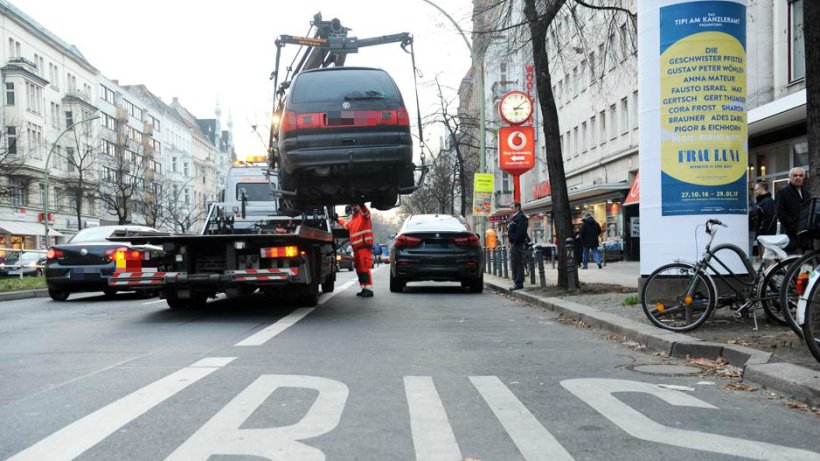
[{"x": 433, "y": 436}]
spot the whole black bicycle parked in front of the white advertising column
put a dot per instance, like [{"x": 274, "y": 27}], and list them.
[{"x": 681, "y": 296}]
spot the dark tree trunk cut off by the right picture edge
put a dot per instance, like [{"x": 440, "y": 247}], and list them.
[{"x": 811, "y": 34}]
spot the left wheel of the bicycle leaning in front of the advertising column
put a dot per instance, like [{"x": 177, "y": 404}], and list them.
[{"x": 676, "y": 297}]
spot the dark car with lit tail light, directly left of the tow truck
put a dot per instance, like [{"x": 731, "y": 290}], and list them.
[{"x": 87, "y": 261}]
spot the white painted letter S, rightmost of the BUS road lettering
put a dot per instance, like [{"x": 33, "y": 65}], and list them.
[{"x": 597, "y": 393}]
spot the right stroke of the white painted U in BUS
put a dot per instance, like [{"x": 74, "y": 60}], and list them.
[{"x": 532, "y": 439}]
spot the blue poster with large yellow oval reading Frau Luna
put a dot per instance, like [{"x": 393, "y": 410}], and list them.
[{"x": 703, "y": 108}]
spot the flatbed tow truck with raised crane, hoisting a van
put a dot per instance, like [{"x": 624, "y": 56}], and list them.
[{"x": 249, "y": 240}]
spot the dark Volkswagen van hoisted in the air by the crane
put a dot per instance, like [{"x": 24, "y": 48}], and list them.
[{"x": 345, "y": 138}]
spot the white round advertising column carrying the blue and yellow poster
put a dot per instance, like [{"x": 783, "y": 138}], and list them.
[{"x": 692, "y": 108}]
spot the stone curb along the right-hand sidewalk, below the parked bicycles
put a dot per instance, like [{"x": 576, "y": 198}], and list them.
[{"x": 798, "y": 382}]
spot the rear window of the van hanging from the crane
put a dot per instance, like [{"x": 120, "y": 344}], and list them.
[{"x": 336, "y": 85}]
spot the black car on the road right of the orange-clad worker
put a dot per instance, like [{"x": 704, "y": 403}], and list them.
[{"x": 437, "y": 248}]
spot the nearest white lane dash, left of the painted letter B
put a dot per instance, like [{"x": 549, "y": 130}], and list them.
[{"x": 81, "y": 435}]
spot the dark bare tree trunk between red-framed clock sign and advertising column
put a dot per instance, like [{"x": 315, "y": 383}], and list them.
[{"x": 555, "y": 159}]
